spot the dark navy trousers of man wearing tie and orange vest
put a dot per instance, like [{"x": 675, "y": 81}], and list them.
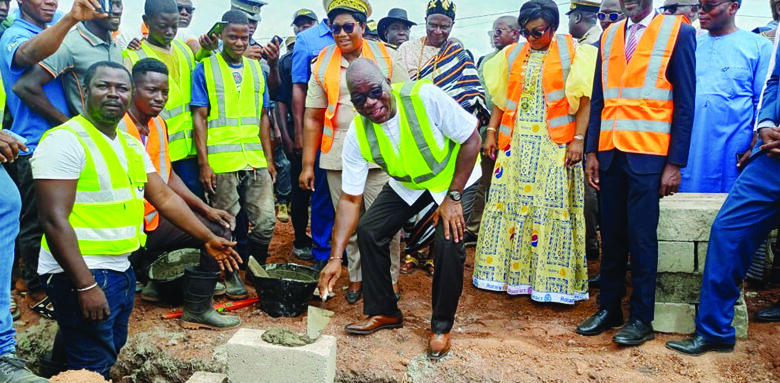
[{"x": 629, "y": 222}]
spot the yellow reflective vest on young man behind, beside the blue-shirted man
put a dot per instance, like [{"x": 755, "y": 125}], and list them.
[{"x": 177, "y": 110}]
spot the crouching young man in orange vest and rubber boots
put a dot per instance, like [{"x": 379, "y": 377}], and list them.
[{"x": 143, "y": 121}]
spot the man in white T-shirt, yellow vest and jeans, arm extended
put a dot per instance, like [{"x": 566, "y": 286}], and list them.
[{"x": 91, "y": 180}]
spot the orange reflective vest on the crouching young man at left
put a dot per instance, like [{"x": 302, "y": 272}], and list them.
[{"x": 157, "y": 148}]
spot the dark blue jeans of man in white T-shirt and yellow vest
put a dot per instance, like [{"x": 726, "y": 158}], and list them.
[{"x": 93, "y": 346}]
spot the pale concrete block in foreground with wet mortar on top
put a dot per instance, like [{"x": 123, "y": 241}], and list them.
[{"x": 251, "y": 359}]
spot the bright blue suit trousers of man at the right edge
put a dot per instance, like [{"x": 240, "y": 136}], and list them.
[{"x": 750, "y": 212}]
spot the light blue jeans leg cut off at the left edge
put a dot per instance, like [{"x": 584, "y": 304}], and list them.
[{"x": 10, "y": 207}]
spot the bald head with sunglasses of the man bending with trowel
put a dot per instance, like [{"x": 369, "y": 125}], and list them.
[{"x": 370, "y": 91}]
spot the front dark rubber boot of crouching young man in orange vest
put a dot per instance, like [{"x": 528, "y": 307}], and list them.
[{"x": 198, "y": 311}]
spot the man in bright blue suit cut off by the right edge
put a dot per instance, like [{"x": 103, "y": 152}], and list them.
[{"x": 751, "y": 210}]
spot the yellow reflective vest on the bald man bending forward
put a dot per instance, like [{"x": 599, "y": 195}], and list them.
[{"x": 420, "y": 163}]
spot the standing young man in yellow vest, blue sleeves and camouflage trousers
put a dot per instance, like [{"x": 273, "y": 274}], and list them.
[{"x": 232, "y": 133}]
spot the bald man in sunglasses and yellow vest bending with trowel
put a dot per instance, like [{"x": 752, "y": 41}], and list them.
[{"x": 428, "y": 145}]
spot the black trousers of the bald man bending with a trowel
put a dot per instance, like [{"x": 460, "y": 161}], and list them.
[{"x": 376, "y": 229}]
